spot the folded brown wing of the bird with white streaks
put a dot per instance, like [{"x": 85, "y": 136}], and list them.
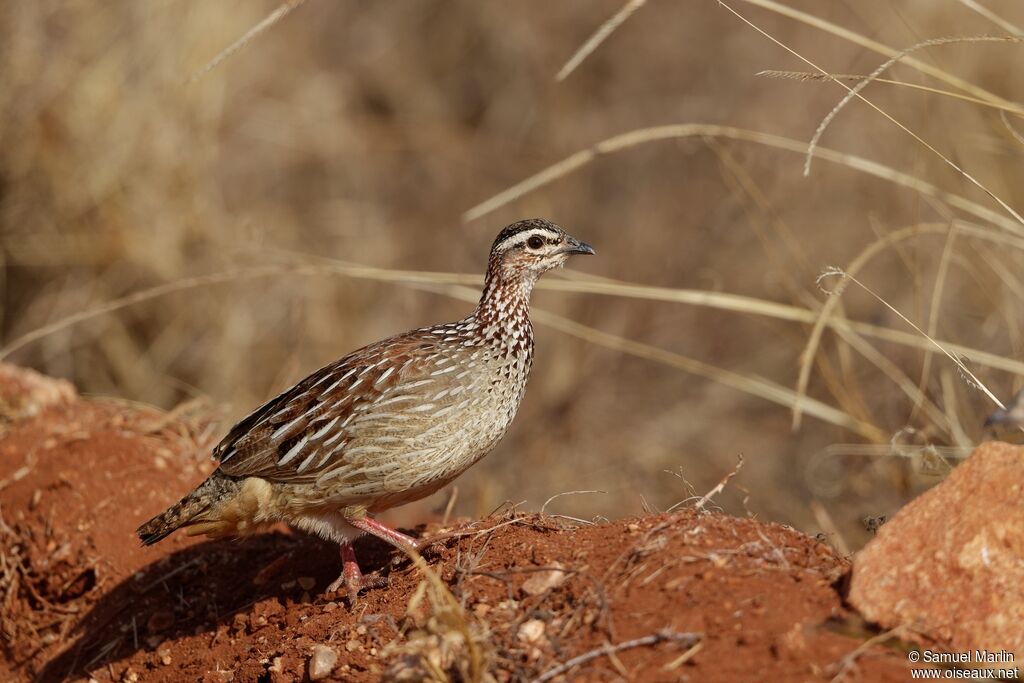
[{"x": 292, "y": 438}]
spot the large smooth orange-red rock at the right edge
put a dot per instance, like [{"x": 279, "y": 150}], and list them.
[{"x": 951, "y": 565}]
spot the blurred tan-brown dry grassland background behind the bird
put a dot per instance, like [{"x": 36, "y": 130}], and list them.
[{"x": 362, "y": 131}]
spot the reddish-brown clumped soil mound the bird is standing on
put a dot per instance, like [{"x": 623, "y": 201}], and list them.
[{"x": 689, "y": 596}]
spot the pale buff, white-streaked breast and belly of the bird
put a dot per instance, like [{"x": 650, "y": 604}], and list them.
[{"x": 422, "y": 434}]
